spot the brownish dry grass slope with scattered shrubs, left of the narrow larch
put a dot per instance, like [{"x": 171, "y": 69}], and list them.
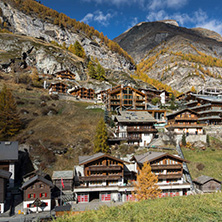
[{"x": 57, "y": 131}]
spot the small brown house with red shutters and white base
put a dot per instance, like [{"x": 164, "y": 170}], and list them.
[{"x": 37, "y": 194}]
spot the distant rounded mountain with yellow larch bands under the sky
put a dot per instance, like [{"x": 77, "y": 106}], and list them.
[{"x": 177, "y": 56}]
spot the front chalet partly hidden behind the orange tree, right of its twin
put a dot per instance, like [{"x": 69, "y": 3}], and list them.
[{"x": 169, "y": 169}]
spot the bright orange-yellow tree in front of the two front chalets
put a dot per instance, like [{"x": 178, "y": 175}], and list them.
[{"x": 146, "y": 186}]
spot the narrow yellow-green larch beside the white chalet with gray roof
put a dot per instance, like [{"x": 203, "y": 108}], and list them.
[{"x": 101, "y": 137}]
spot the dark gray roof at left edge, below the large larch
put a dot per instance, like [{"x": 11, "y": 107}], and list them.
[{"x": 8, "y": 151}]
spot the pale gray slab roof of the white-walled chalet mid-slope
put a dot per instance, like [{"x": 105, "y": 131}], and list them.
[{"x": 135, "y": 116}]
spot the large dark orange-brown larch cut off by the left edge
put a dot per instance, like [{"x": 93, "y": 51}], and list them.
[{"x": 10, "y": 123}]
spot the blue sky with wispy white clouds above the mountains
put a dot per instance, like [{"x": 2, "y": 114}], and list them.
[{"x": 113, "y": 17}]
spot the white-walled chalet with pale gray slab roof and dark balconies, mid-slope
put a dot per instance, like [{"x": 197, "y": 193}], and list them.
[{"x": 135, "y": 127}]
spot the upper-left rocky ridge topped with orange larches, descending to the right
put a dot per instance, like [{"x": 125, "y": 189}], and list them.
[{"x": 30, "y": 18}]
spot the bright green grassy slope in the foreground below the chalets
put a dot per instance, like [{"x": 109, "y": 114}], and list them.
[{"x": 178, "y": 209}]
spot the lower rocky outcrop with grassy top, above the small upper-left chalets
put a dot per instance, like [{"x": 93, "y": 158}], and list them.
[{"x": 21, "y": 52}]
